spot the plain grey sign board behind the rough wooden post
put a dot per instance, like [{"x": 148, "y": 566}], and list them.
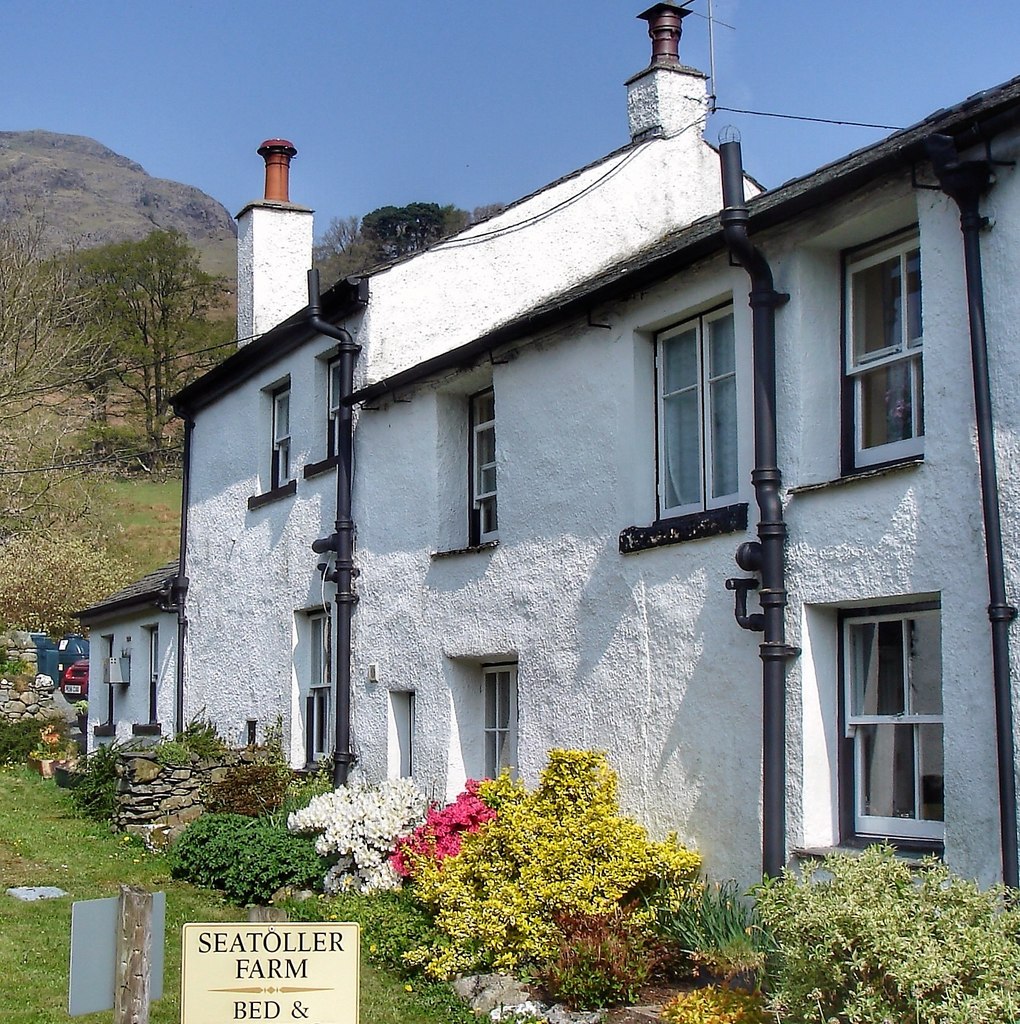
[{"x": 94, "y": 951}]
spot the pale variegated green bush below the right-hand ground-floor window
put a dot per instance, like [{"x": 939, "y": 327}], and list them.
[{"x": 869, "y": 940}]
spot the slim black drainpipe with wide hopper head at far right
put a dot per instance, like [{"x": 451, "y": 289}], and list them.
[{"x": 965, "y": 182}]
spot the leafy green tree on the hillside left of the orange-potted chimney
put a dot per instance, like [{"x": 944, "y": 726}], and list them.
[{"x": 156, "y": 307}]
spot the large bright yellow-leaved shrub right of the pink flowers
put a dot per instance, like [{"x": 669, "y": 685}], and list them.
[{"x": 564, "y": 848}]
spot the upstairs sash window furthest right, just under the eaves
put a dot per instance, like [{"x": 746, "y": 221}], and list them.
[{"x": 884, "y": 373}]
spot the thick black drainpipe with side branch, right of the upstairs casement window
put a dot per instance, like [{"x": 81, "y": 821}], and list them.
[{"x": 767, "y": 557}]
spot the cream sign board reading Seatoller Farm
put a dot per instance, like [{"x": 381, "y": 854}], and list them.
[{"x": 287, "y": 973}]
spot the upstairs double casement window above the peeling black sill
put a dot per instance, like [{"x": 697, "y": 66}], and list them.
[{"x": 696, "y": 367}]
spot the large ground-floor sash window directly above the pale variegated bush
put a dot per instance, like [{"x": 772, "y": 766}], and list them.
[{"x": 892, "y": 711}]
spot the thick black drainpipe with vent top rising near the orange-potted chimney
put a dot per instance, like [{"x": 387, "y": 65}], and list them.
[{"x": 342, "y": 542}]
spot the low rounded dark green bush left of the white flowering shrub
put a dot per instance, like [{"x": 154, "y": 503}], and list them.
[{"x": 248, "y": 859}]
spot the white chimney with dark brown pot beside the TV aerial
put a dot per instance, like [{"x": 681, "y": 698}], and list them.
[{"x": 667, "y": 98}]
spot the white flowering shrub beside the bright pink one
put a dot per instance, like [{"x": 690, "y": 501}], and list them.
[{"x": 359, "y": 825}]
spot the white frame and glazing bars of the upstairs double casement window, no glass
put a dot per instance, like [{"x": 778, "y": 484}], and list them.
[{"x": 704, "y": 387}]
